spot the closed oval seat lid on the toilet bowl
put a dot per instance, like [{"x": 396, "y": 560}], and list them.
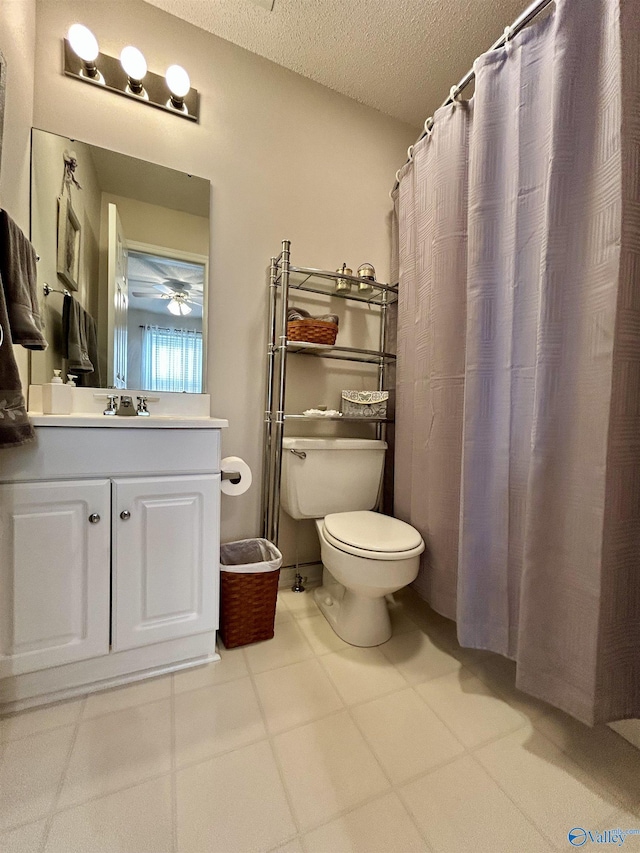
[{"x": 372, "y": 531}]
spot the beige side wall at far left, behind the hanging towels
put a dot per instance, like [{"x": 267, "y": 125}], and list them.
[{"x": 17, "y": 43}]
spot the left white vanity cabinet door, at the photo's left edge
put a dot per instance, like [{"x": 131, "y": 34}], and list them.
[{"x": 54, "y": 574}]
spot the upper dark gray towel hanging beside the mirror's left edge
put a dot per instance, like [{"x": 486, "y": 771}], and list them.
[{"x": 19, "y": 279}]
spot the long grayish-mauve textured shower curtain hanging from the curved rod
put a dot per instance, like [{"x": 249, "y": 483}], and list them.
[{"x": 518, "y": 372}]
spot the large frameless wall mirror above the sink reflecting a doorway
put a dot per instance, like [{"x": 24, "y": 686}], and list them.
[{"x": 123, "y": 251}]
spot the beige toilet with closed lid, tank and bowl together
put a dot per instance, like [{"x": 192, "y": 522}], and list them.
[{"x": 365, "y": 555}]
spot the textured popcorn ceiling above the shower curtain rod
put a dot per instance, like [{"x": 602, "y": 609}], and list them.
[{"x": 399, "y": 56}]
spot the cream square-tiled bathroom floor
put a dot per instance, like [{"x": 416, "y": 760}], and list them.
[{"x": 304, "y": 744}]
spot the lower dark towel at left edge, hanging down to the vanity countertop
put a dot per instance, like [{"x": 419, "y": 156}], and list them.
[{"x": 15, "y": 427}]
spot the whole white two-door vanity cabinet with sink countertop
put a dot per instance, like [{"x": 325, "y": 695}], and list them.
[{"x": 109, "y": 557}]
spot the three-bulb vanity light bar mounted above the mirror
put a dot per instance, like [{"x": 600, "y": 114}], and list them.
[{"x": 129, "y": 76}]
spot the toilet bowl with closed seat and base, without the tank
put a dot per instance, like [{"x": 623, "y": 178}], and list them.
[{"x": 366, "y": 557}]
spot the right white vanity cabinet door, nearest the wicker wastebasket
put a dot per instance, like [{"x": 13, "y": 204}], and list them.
[{"x": 166, "y": 551}]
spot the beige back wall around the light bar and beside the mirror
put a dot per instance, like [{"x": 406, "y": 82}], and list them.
[{"x": 286, "y": 158}]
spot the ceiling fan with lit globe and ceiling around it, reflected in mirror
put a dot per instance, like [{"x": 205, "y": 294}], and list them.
[{"x": 179, "y": 283}]
